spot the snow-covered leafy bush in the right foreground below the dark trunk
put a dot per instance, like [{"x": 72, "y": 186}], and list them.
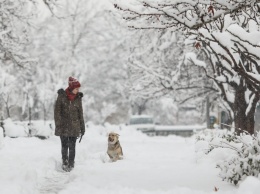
[{"x": 245, "y": 160}]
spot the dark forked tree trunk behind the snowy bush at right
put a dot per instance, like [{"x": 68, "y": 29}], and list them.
[{"x": 244, "y": 121}]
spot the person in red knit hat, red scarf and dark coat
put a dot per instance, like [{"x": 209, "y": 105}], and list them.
[{"x": 69, "y": 122}]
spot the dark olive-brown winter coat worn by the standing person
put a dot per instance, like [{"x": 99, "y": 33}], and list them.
[{"x": 68, "y": 115}]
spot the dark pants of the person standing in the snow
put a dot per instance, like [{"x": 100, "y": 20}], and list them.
[{"x": 68, "y": 145}]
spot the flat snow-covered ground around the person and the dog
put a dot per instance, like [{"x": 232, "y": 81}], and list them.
[{"x": 160, "y": 165}]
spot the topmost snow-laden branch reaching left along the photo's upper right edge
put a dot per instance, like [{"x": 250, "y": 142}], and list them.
[{"x": 183, "y": 15}]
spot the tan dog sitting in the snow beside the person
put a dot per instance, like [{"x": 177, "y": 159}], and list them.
[{"x": 114, "y": 149}]
